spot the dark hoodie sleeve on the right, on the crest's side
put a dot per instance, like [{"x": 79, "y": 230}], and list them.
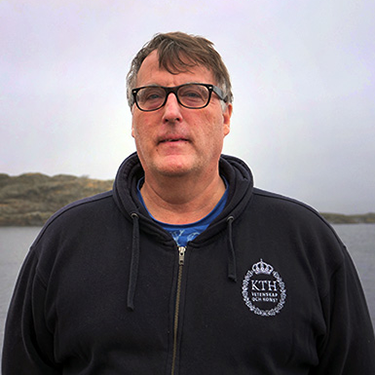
[{"x": 348, "y": 346}]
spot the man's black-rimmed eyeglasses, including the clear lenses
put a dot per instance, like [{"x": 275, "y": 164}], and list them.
[{"x": 189, "y": 95}]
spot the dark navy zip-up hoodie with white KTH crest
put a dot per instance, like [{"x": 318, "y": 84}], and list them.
[{"x": 268, "y": 288}]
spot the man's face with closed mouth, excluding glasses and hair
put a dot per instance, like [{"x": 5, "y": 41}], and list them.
[{"x": 176, "y": 141}]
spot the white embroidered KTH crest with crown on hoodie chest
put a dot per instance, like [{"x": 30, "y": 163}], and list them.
[{"x": 263, "y": 290}]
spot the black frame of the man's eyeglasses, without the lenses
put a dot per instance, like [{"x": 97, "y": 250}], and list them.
[{"x": 174, "y": 90}]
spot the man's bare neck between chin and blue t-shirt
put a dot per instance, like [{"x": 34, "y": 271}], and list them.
[{"x": 180, "y": 201}]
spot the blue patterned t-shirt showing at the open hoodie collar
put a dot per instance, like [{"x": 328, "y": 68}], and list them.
[{"x": 183, "y": 233}]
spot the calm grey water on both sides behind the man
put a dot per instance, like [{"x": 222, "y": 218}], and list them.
[{"x": 15, "y": 241}]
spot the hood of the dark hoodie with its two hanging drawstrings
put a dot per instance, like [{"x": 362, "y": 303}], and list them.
[{"x": 240, "y": 181}]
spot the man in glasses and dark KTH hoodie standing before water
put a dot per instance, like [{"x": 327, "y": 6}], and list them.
[{"x": 185, "y": 267}]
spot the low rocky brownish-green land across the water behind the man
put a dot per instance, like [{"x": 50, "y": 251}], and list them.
[{"x": 31, "y": 198}]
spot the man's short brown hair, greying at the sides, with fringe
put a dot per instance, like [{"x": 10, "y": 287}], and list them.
[{"x": 178, "y": 52}]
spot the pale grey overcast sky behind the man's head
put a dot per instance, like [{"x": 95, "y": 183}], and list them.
[{"x": 303, "y": 75}]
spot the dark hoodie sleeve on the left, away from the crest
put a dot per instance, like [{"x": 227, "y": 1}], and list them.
[{"x": 28, "y": 344}]
